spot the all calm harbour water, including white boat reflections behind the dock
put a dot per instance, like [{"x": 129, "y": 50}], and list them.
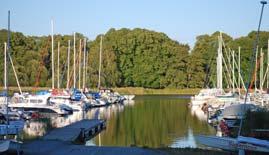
[{"x": 153, "y": 121}]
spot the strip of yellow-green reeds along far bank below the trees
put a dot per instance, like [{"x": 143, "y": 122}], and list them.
[{"x": 127, "y": 90}]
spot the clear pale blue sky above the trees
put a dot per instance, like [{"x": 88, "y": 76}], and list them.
[{"x": 181, "y": 20}]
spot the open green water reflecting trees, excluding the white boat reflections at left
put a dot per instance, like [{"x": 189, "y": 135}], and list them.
[{"x": 154, "y": 121}]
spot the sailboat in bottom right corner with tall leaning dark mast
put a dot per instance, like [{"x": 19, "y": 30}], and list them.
[{"x": 240, "y": 143}]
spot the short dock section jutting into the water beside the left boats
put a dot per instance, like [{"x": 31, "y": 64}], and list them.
[{"x": 79, "y": 132}]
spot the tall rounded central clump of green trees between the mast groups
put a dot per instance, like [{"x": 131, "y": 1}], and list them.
[{"x": 139, "y": 58}]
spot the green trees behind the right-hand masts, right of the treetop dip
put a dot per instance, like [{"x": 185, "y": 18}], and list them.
[{"x": 202, "y": 59}]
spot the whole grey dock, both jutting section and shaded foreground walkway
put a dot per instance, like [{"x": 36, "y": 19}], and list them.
[{"x": 65, "y": 140}]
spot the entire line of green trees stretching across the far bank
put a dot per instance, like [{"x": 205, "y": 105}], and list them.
[{"x": 130, "y": 58}]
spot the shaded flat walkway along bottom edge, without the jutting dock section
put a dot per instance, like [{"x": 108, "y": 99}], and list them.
[{"x": 60, "y": 148}]
